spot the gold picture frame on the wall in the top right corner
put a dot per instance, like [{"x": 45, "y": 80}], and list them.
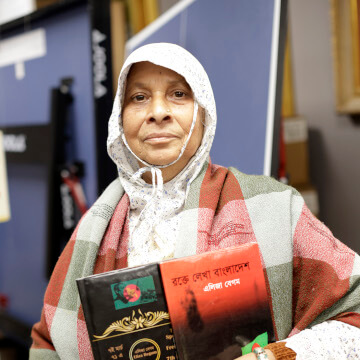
[{"x": 345, "y": 17}]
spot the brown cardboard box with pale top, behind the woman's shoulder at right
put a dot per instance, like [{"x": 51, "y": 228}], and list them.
[{"x": 296, "y": 150}]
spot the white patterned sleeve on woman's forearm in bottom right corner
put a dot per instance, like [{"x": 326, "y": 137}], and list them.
[{"x": 330, "y": 340}]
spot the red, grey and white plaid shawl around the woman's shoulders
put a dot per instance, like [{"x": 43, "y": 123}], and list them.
[{"x": 311, "y": 276}]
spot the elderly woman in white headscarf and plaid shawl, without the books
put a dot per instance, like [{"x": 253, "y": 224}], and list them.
[{"x": 170, "y": 201}]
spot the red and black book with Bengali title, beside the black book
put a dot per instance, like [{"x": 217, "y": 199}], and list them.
[{"x": 218, "y": 303}]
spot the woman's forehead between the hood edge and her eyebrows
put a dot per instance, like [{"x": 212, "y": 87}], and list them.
[{"x": 147, "y": 71}]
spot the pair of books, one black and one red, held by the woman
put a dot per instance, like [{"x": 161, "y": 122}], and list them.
[{"x": 217, "y": 304}]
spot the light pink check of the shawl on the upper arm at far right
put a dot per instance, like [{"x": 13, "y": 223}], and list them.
[{"x": 313, "y": 240}]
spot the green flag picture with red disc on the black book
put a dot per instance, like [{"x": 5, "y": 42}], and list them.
[{"x": 133, "y": 292}]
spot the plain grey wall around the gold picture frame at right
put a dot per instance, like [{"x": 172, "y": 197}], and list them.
[{"x": 334, "y": 139}]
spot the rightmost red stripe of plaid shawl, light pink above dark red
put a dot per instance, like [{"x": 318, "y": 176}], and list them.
[{"x": 322, "y": 270}]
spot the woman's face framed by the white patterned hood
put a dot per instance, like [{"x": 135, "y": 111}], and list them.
[{"x": 157, "y": 115}]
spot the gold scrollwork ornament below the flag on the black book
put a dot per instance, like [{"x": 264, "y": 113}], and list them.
[{"x": 129, "y": 324}]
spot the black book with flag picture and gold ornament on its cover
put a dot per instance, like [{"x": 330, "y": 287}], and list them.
[{"x": 126, "y": 314}]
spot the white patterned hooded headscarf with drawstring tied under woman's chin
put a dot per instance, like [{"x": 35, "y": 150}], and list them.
[{"x": 155, "y": 209}]
